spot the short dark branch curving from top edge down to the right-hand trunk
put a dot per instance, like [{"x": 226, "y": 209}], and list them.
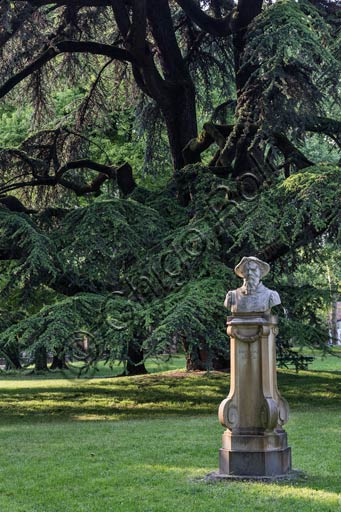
[{"x": 214, "y": 26}]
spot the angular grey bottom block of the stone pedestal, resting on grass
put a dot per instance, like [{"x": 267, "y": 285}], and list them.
[{"x": 261, "y": 464}]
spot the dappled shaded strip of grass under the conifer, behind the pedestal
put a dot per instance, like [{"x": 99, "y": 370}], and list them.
[{"x": 149, "y": 396}]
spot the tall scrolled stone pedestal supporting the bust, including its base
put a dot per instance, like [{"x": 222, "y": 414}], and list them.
[{"x": 254, "y": 412}]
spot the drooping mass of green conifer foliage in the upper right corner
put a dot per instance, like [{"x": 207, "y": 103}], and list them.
[{"x": 291, "y": 50}]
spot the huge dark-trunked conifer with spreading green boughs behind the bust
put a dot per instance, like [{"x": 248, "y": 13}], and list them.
[{"x": 154, "y": 264}]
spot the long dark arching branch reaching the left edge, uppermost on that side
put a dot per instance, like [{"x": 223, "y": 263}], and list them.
[{"x": 64, "y": 47}]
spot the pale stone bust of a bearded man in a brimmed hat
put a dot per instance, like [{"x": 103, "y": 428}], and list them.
[{"x": 252, "y": 296}]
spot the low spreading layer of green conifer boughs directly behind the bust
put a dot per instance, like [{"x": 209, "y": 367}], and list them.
[{"x": 125, "y": 271}]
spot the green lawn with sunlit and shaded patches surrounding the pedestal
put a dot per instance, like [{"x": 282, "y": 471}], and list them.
[{"x": 143, "y": 444}]
